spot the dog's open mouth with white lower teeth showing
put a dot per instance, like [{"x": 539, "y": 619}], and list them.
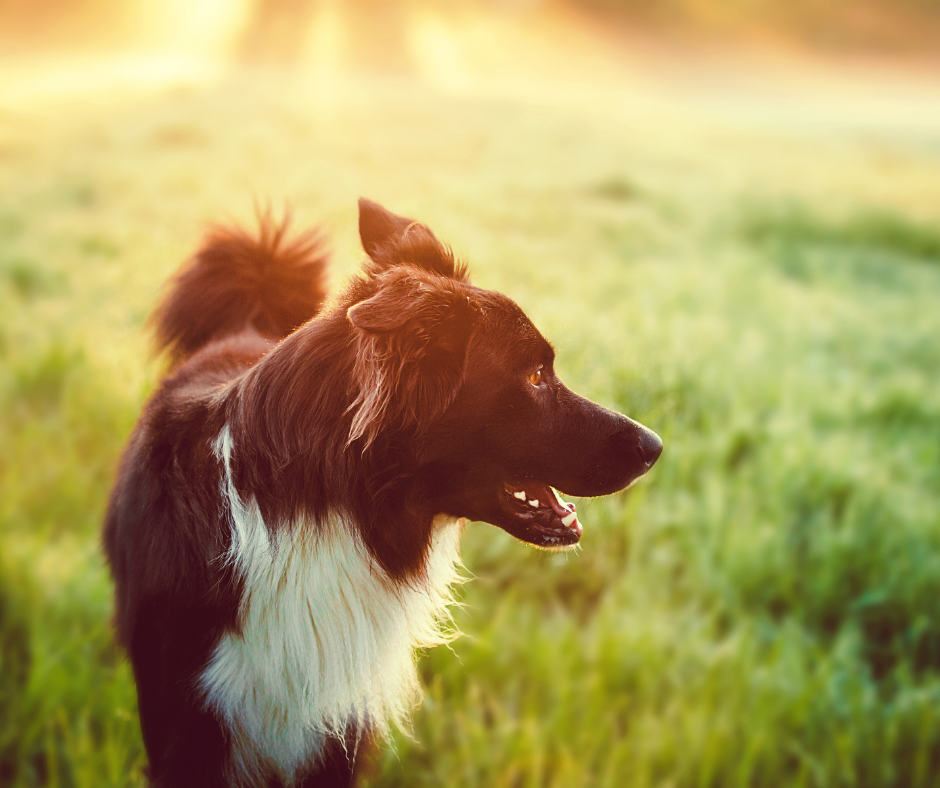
[{"x": 540, "y": 516}]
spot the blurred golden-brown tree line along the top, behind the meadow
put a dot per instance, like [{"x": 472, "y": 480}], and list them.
[{"x": 275, "y": 30}]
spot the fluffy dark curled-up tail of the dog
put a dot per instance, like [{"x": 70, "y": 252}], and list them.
[{"x": 237, "y": 280}]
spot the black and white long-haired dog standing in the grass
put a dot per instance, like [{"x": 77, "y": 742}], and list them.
[{"x": 284, "y": 528}]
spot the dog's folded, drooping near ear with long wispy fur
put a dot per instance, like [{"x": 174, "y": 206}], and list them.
[{"x": 412, "y": 338}]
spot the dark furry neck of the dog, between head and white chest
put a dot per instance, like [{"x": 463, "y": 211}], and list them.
[{"x": 289, "y": 418}]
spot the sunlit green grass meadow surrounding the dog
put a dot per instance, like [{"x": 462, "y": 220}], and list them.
[{"x": 763, "y": 610}]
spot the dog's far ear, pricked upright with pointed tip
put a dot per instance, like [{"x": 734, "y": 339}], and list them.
[{"x": 392, "y": 240}]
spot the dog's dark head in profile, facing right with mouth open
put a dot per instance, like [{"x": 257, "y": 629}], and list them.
[{"x": 463, "y": 371}]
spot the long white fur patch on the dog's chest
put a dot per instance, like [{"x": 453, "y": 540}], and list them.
[{"x": 327, "y": 638}]
